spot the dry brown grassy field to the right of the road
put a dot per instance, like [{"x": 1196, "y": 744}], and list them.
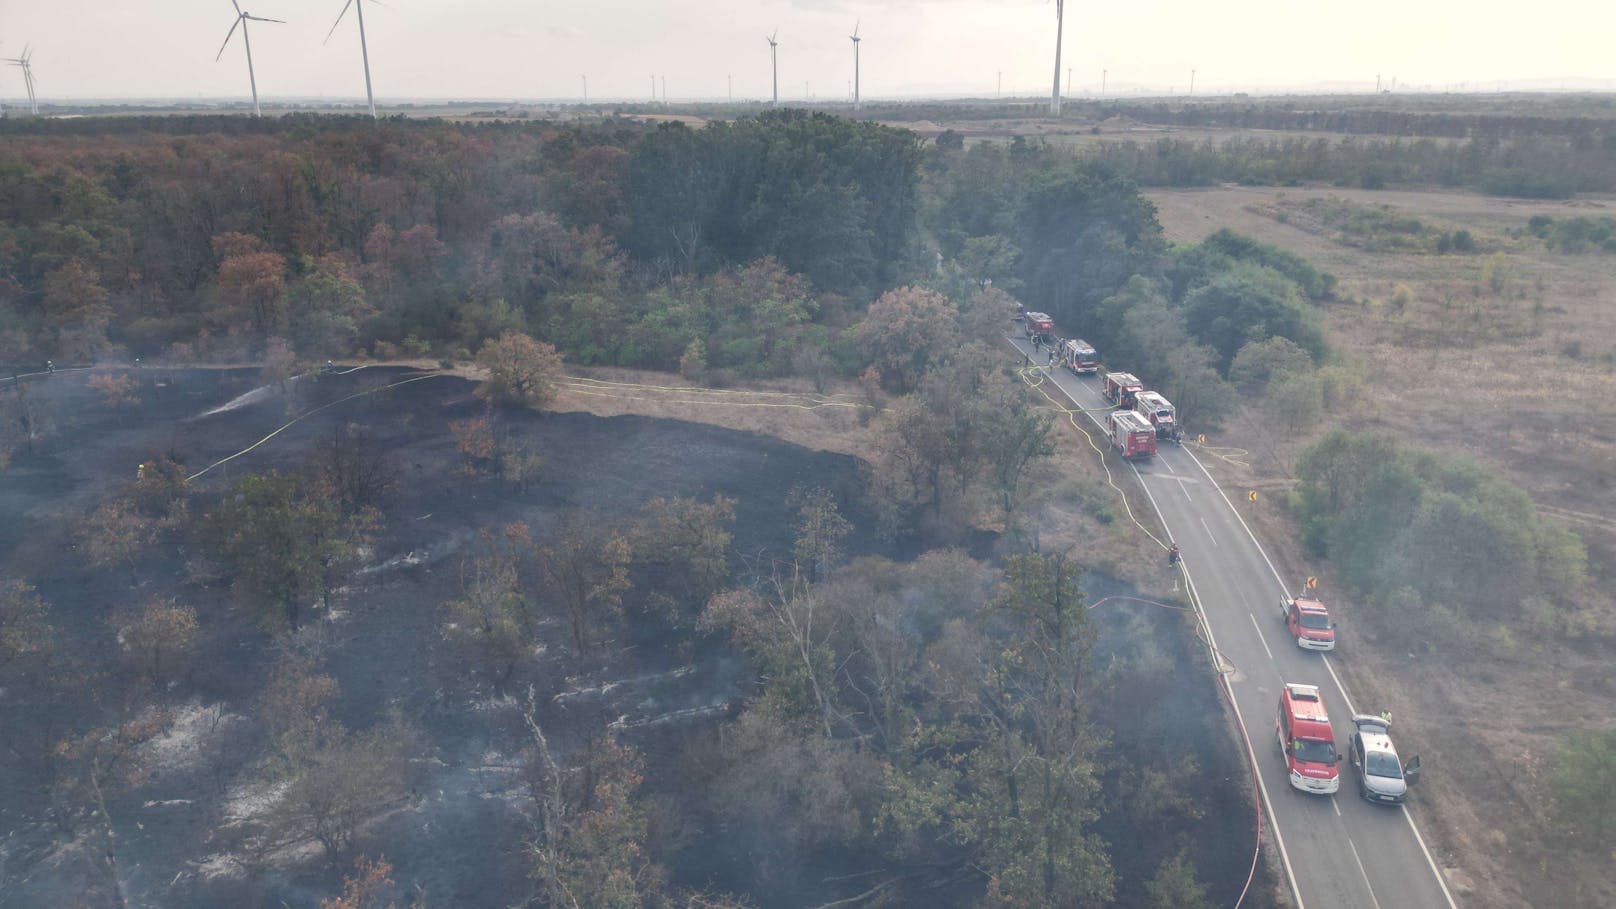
[{"x": 1507, "y": 357}]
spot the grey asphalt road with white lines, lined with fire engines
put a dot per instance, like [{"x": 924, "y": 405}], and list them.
[{"x": 1336, "y": 850}]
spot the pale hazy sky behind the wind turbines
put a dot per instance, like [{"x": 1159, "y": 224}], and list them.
[{"x": 539, "y": 49}]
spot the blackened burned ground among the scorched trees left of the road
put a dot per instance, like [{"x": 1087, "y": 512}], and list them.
[{"x": 461, "y": 834}]
